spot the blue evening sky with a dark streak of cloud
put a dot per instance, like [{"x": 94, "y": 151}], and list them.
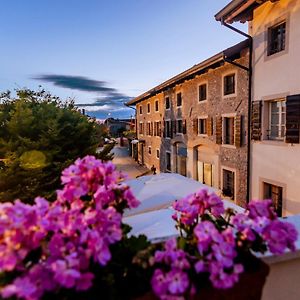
[{"x": 104, "y": 53}]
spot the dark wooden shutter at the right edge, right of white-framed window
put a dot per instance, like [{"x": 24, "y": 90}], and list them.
[{"x": 292, "y": 119}]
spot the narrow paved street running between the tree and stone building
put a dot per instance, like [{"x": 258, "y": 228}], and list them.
[{"x": 127, "y": 164}]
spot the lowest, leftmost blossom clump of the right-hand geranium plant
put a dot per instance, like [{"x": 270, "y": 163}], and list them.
[{"x": 171, "y": 280}]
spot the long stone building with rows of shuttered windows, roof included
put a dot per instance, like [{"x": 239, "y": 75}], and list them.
[{"x": 196, "y": 123}]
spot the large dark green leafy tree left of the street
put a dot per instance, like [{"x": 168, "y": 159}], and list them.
[{"x": 40, "y": 135}]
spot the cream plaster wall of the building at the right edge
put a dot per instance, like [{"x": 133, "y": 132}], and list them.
[{"x": 273, "y": 77}]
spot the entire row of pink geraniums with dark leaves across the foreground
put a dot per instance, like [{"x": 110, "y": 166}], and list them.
[{"x": 78, "y": 248}]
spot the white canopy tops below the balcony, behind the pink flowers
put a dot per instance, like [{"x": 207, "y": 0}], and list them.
[{"x": 157, "y": 193}]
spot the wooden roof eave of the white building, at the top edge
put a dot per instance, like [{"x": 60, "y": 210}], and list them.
[{"x": 239, "y": 10}]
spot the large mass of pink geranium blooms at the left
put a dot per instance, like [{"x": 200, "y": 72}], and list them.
[{"x": 51, "y": 246}]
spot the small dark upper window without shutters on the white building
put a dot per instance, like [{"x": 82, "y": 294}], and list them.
[{"x": 276, "y": 38}]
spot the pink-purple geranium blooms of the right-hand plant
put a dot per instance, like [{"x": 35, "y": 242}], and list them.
[{"x": 215, "y": 242}]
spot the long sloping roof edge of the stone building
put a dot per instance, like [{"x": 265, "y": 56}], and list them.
[{"x": 215, "y": 61}]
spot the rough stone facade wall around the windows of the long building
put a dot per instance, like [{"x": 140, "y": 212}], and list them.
[{"x": 221, "y": 156}]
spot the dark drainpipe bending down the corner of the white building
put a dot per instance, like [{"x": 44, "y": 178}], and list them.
[{"x": 249, "y": 101}]
